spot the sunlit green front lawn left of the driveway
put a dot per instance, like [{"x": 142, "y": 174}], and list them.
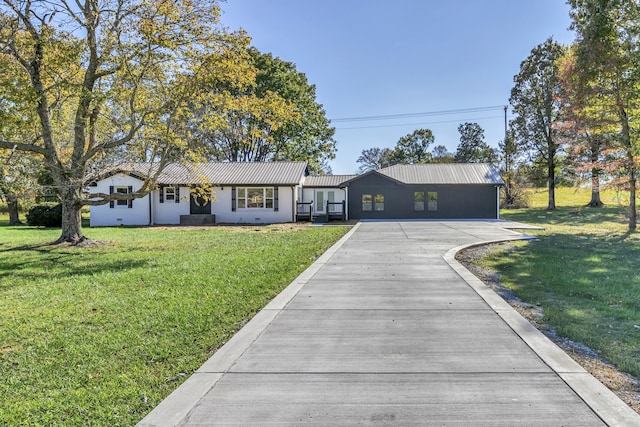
[{"x": 100, "y": 335}]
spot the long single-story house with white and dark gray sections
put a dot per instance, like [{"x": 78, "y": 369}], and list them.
[{"x": 276, "y": 192}]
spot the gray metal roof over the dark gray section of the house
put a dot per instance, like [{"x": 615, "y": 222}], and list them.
[{"x": 444, "y": 173}]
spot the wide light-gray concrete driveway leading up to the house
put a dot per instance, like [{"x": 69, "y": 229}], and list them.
[{"x": 386, "y": 328}]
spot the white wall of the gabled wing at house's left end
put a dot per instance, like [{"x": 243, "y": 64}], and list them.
[{"x": 104, "y": 215}]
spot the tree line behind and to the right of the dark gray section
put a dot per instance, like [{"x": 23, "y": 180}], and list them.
[{"x": 575, "y": 110}]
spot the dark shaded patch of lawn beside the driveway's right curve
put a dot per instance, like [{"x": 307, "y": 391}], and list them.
[{"x": 587, "y": 284}]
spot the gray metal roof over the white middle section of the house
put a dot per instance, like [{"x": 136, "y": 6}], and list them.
[{"x": 235, "y": 173}]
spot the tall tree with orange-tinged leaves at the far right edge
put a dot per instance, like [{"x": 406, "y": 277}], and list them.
[{"x": 607, "y": 56}]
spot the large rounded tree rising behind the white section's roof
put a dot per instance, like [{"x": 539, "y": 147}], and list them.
[{"x": 283, "y": 123}]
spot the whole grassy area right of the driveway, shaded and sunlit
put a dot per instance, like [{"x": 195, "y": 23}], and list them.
[{"x": 583, "y": 272}]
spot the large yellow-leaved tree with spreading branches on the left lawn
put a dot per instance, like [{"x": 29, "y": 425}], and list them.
[{"x": 105, "y": 79}]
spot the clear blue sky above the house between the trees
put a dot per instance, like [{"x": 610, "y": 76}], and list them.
[{"x": 403, "y": 57}]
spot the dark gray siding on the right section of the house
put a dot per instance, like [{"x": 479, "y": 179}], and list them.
[{"x": 455, "y": 201}]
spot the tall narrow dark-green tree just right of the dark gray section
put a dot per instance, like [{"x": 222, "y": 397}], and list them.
[{"x": 537, "y": 108}]
